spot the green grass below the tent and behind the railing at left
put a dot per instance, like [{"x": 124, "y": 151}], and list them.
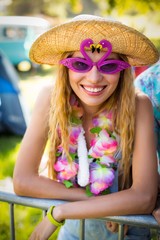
[{"x": 26, "y": 218}]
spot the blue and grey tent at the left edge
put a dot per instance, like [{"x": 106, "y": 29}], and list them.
[{"x": 13, "y": 113}]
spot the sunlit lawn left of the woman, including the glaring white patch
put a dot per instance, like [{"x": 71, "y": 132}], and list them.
[{"x": 25, "y": 217}]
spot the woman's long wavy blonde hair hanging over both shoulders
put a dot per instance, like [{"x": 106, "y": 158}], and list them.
[{"x": 122, "y": 103}]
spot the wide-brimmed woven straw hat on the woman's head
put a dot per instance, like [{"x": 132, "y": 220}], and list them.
[{"x": 50, "y": 46}]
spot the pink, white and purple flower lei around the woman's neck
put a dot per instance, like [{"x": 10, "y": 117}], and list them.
[{"x": 93, "y": 169}]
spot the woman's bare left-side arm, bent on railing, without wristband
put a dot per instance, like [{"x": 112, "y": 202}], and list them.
[{"x": 26, "y": 179}]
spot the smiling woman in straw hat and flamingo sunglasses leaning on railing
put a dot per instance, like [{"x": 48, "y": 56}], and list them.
[{"x": 97, "y": 126}]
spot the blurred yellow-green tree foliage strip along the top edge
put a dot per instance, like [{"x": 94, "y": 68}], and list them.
[{"x": 64, "y": 8}]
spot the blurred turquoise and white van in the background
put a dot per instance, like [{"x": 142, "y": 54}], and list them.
[{"x": 17, "y": 33}]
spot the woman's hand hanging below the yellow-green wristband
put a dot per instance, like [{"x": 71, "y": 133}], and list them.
[{"x": 43, "y": 230}]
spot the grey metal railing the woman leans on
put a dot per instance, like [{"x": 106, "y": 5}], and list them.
[{"x": 44, "y": 204}]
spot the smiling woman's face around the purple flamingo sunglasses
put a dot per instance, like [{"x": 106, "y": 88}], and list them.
[{"x": 93, "y": 87}]
